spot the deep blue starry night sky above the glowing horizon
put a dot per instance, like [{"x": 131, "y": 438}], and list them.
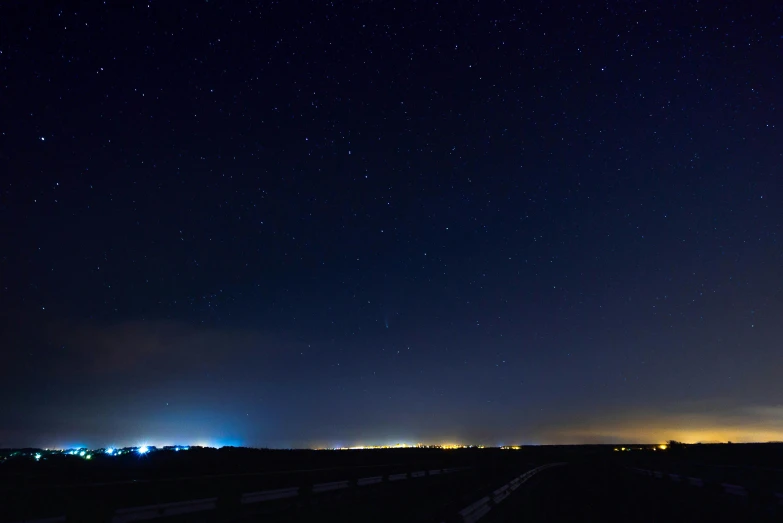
[{"x": 342, "y": 223}]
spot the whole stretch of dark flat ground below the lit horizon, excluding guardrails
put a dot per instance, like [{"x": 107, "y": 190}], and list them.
[{"x": 411, "y": 485}]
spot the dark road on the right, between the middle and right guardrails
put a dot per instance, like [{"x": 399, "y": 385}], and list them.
[{"x": 595, "y": 493}]
